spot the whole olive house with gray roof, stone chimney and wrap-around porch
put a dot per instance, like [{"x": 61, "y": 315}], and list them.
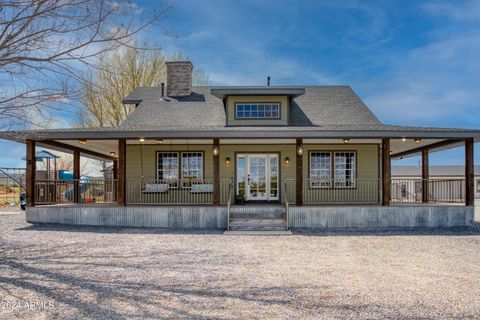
[{"x": 247, "y": 158}]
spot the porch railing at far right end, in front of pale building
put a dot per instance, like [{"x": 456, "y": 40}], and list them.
[{"x": 428, "y": 190}]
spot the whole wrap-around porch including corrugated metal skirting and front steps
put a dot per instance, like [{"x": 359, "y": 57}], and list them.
[{"x": 217, "y": 183}]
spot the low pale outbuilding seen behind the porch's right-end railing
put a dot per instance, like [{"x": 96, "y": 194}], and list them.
[{"x": 407, "y": 185}]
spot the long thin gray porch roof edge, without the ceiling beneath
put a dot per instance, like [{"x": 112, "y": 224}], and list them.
[{"x": 266, "y": 132}]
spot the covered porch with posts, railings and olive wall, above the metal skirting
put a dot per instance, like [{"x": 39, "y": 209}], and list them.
[{"x": 220, "y": 172}]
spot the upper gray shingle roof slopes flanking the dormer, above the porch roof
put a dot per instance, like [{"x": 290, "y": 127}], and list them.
[{"x": 319, "y": 106}]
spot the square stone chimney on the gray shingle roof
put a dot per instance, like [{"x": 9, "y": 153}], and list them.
[{"x": 179, "y": 78}]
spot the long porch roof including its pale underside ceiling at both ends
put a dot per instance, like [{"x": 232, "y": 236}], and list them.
[{"x": 104, "y": 141}]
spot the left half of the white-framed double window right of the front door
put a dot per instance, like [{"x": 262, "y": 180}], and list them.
[{"x": 320, "y": 169}]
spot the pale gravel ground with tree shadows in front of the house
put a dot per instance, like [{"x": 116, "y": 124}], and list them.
[{"x": 88, "y": 272}]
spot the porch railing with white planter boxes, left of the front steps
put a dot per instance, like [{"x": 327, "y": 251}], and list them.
[{"x": 171, "y": 192}]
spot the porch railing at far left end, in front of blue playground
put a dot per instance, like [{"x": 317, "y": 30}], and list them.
[{"x": 62, "y": 191}]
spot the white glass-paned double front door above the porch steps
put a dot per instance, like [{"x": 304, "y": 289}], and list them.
[{"x": 257, "y": 176}]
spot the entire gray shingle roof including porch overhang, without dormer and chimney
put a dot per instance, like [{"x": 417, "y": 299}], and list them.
[{"x": 323, "y": 111}]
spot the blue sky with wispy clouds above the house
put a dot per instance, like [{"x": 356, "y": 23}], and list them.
[{"x": 412, "y": 62}]
